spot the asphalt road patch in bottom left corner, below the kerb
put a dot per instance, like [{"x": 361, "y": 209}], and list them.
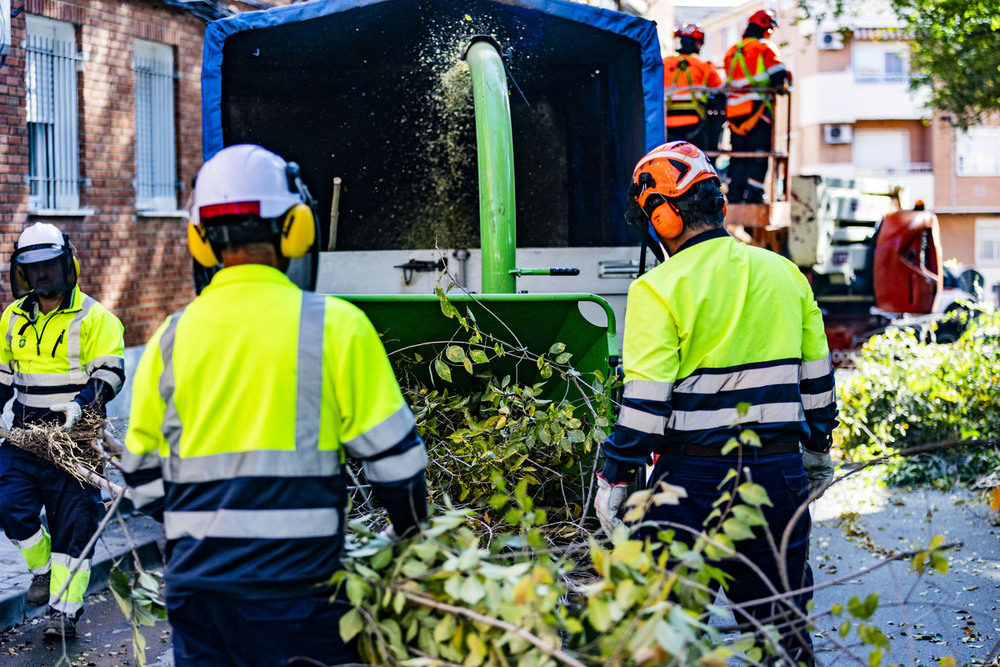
[{"x": 104, "y": 639}]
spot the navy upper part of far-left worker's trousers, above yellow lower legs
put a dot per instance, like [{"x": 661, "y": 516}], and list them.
[{"x": 28, "y": 483}]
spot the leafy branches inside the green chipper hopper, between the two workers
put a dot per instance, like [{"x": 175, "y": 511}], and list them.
[{"x": 477, "y": 425}]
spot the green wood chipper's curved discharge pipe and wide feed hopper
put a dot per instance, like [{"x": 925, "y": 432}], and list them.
[{"x": 419, "y": 326}]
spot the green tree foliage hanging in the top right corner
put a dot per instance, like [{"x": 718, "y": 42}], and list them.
[{"x": 954, "y": 45}]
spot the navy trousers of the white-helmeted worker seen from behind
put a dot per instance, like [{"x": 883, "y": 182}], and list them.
[{"x": 212, "y": 631}]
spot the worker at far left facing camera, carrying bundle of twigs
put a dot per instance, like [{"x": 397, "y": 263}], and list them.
[{"x": 62, "y": 356}]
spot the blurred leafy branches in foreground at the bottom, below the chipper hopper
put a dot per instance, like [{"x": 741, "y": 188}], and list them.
[{"x": 449, "y": 596}]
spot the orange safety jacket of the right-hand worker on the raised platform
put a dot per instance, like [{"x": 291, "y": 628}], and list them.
[{"x": 750, "y": 64}]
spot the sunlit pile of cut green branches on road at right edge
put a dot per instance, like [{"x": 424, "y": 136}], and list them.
[{"x": 911, "y": 391}]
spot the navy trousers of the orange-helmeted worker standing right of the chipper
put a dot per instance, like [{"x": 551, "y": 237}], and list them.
[{"x": 784, "y": 479}]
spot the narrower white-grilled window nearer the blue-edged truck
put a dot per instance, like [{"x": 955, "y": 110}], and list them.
[{"x": 156, "y": 176}]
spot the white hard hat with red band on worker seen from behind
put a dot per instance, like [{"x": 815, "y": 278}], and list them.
[{"x": 245, "y": 179}]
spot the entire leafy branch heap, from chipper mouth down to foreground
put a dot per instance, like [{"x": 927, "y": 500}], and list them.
[{"x": 510, "y": 571}]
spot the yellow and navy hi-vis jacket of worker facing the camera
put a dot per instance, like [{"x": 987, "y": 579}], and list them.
[{"x": 50, "y": 360}]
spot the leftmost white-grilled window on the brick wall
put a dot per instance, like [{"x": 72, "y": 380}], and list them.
[{"x": 54, "y": 170}]
